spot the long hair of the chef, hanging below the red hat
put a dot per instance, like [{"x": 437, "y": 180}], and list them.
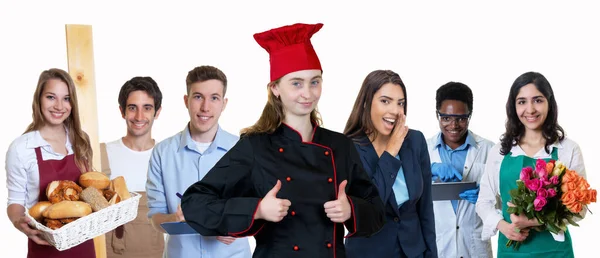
[{"x": 273, "y": 115}]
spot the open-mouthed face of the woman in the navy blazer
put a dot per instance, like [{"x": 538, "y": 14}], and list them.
[{"x": 388, "y": 103}]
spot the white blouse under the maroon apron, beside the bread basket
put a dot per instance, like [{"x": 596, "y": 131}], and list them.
[{"x": 22, "y": 172}]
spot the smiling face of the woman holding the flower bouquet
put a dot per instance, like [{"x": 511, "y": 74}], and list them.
[{"x": 531, "y": 107}]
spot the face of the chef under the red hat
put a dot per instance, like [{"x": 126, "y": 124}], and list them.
[{"x": 299, "y": 92}]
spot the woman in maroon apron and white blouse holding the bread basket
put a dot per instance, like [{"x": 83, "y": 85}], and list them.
[{"x": 53, "y": 147}]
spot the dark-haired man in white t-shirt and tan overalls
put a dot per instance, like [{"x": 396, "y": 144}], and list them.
[{"x": 139, "y": 103}]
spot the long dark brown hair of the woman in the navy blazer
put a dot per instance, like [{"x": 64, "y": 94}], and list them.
[{"x": 359, "y": 122}]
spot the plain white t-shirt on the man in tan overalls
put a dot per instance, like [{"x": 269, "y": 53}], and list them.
[{"x": 132, "y": 165}]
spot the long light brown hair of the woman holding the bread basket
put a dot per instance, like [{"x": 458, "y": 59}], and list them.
[{"x": 79, "y": 139}]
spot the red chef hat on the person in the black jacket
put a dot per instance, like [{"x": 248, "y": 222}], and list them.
[{"x": 290, "y": 49}]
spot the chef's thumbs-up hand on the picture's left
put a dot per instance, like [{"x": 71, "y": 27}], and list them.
[{"x": 272, "y": 208}]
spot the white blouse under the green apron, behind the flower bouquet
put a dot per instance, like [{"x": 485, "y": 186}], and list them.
[{"x": 489, "y": 203}]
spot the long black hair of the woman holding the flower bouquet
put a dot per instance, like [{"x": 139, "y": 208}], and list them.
[{"x": 551, "y": 130}]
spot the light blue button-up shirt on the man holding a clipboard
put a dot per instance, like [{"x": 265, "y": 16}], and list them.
[{"x": 175, "y": 164}]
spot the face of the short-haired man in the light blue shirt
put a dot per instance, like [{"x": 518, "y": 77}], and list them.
[{"x": 205, "y": 103}]
